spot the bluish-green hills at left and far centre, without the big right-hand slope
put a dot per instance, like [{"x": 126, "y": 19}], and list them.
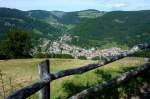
[{"x": 43, "y": 24}]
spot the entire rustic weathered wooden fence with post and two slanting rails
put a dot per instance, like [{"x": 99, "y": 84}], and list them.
[{"x": 46, "y": 77}]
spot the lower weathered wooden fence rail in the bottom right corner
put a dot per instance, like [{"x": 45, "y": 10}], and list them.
[{"x": 123, "y": 77}]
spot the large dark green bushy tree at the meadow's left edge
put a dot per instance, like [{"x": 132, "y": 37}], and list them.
[{"x": 16, "y": 44}]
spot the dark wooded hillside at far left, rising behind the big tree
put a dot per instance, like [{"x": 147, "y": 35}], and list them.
[{"x": 13, "y": 18}]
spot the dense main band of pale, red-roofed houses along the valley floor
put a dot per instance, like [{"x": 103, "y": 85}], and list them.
[{"x": 63, "y": 48}]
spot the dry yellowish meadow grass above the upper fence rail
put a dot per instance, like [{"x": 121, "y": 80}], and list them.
[{"x": 25, "y": 71}]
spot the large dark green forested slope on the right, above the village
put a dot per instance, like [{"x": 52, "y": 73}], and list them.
[{"x": 114, "y": 28}]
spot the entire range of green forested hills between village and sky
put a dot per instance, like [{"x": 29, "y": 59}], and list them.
[{"x": 87, "y": 28}]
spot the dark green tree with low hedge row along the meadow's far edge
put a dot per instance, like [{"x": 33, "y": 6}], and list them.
[{"x": 18, "y": 44}]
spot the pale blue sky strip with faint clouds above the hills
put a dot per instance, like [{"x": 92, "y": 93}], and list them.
[{"x": 76, "y": 5}]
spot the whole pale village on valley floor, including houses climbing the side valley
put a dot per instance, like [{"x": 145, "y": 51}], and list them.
[{"x": 61, "y": 47}]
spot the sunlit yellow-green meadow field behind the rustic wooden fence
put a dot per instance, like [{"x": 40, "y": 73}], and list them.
[{"x": 21, "y": 72}]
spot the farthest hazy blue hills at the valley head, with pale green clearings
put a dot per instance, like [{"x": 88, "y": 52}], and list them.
[{"x": 64, "y": 18}]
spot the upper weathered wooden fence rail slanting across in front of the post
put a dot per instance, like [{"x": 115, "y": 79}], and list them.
[{"x": 31, "y": 89}]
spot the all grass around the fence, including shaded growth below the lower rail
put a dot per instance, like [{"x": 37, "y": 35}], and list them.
[{"x": 24, "y": 72}]
